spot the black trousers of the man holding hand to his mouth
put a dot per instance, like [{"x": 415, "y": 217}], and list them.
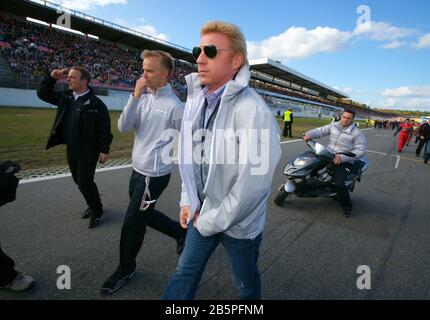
[{"x": 135, "y": 221}]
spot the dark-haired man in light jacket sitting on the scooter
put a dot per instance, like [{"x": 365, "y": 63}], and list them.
[{"x": 344, "y": 137}]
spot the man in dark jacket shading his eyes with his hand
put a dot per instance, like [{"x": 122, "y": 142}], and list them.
[{"x": 83, "y": 124}]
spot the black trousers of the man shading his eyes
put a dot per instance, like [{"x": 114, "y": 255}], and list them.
[{"x": 83, "y": 168}]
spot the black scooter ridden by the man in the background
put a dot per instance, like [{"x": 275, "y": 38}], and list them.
[{"x": 308, "y": 175}]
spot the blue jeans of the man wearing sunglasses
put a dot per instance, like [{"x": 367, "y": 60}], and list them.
[{"x": 243, "y": 254}]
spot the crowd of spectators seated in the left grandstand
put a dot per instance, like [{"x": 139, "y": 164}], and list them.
[{"x": 30, "y": 49}]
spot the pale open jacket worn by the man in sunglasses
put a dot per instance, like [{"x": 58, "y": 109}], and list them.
[{"x": 238, "y": 185}]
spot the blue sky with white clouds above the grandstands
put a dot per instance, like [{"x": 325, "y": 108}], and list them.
[{"x": 383, "y": 62}]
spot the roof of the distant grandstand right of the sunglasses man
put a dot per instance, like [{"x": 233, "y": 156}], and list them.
[{"x": 272, "y": 71}]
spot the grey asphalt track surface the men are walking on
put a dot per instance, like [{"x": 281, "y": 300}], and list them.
[{"x": 309, "y": 251}]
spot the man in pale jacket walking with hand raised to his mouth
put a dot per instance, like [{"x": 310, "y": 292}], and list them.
[{"x": 152, "y": 116}]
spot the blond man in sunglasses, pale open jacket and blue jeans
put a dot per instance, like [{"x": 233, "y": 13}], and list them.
[{"x": 223, "y": 201}]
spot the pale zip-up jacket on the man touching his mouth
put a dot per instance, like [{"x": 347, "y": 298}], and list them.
[{"x": 155, "y": 117}]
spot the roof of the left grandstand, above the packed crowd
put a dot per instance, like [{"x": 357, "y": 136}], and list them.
[{"x": 49, "y": 12}]
